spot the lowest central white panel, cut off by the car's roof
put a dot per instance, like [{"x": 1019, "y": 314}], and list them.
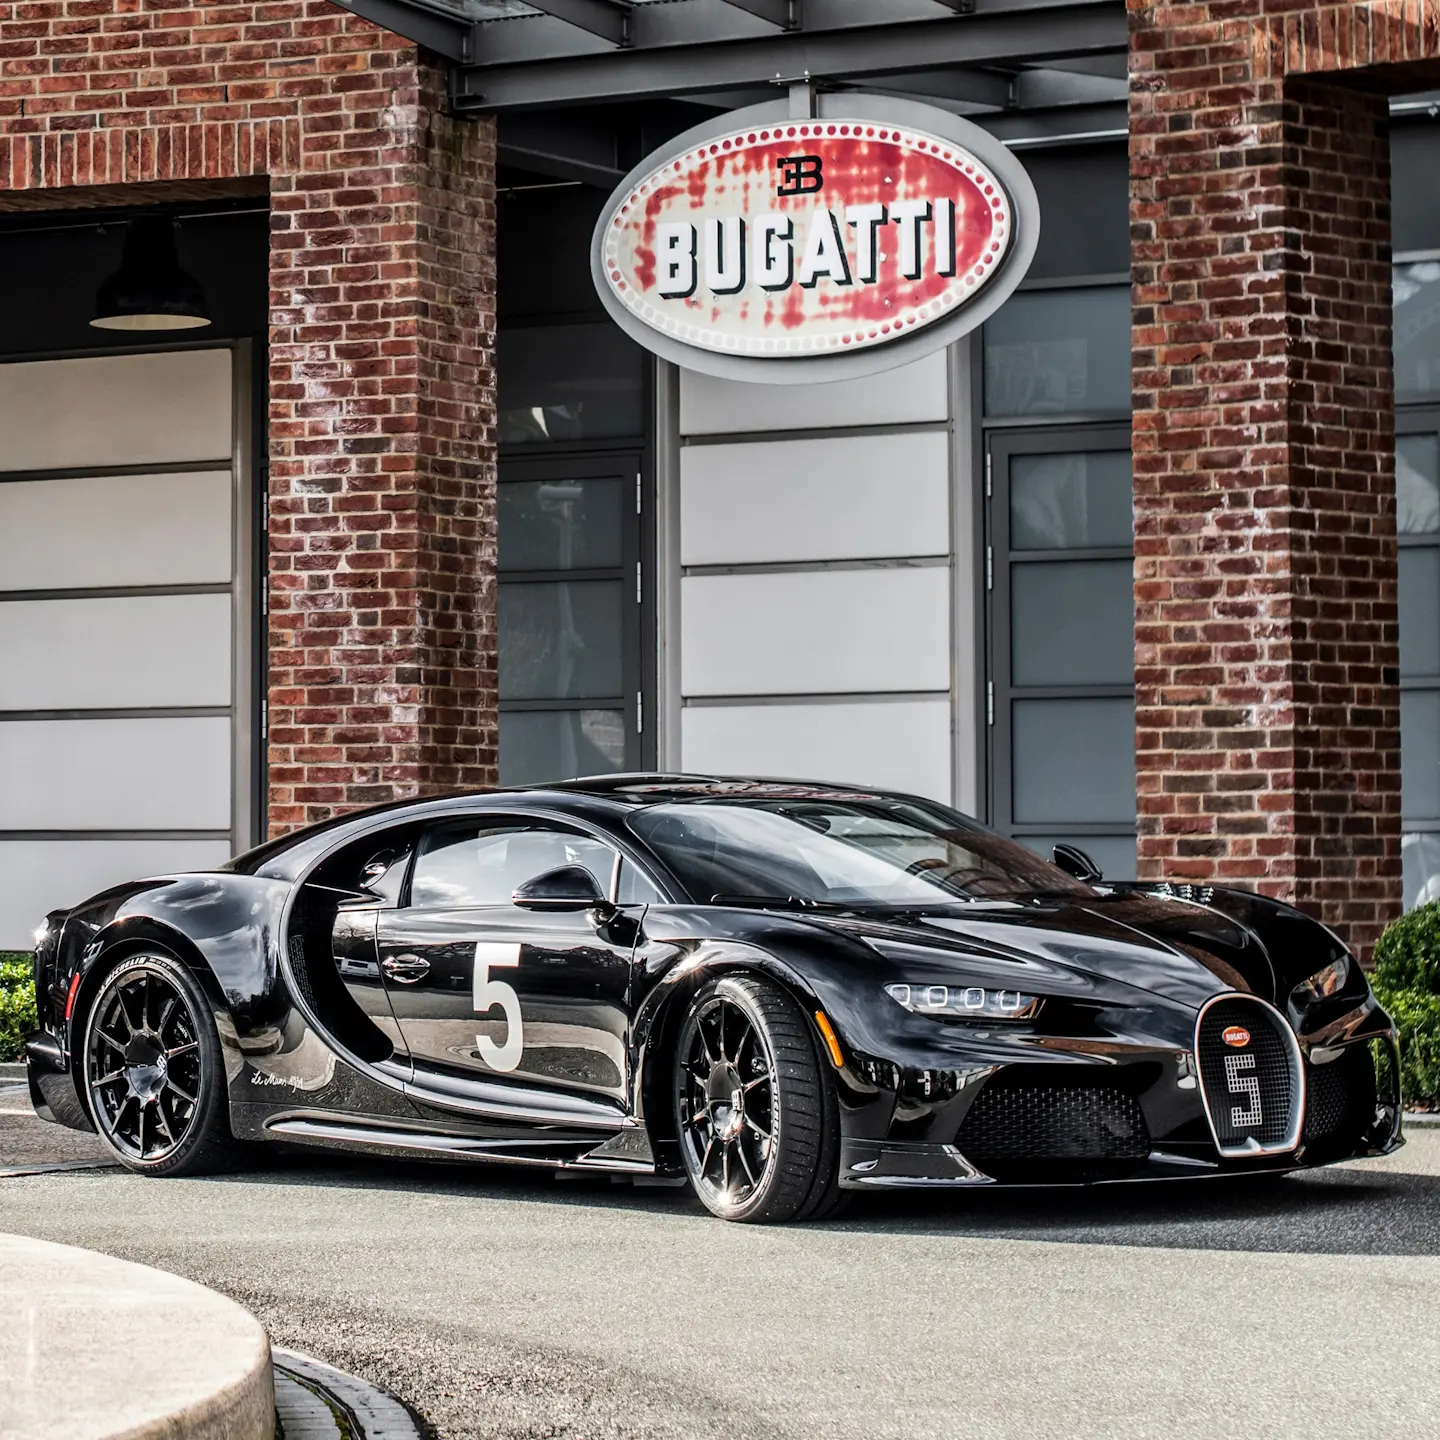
[{"x": 899, "y": 745}]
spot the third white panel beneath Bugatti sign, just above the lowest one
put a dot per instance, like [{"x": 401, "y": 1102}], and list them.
[{"x": 817, "y": 633}]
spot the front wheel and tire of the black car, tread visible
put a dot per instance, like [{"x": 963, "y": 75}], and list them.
[{"x": 755, "y": 1108}]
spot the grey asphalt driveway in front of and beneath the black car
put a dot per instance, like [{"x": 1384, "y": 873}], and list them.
[{"x": 509, "y": 1305}]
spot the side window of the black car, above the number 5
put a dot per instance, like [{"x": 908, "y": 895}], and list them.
[{"x": 477, "y": 865}]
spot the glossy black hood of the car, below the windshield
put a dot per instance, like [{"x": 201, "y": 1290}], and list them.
[{"x": 1174, "y": 950}]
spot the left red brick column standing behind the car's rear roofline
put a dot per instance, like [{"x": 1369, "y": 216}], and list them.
[{"x": 382, "y": 528}]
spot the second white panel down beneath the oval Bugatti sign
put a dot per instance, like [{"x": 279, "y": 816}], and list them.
[{"x": 859, "y": 498}]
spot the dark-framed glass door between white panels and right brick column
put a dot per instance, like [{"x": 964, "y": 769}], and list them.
[{"x": 1061, "y": 695}]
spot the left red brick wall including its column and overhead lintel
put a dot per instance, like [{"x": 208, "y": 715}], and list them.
[{"x": 382, "y": 631}]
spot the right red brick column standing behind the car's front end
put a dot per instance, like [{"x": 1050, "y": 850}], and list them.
[{"x": 1268, "y": 724}]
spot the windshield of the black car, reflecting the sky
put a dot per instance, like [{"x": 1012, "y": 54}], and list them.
[{"x": 842, "y": 852}]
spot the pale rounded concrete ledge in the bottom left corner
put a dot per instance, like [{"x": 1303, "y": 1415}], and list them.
[{"x": 96, "y": 1349}]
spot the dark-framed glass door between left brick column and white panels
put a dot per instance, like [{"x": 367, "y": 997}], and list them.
[{"x": 571, "y": 617}]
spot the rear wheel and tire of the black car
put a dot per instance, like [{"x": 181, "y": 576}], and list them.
[{"x": 153, "y": 1071}]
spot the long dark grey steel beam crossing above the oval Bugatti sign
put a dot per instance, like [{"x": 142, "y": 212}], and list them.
[{"x": 1027, "y": 34}]
